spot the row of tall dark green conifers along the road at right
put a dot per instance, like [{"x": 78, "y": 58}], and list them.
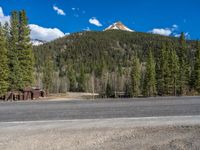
[{"x": 170, "y": 74}]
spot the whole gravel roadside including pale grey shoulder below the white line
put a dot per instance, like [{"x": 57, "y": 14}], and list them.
[{"x": 162, "y": 133}]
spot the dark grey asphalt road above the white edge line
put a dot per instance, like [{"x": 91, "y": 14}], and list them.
[{"x": 121, "y": 108}]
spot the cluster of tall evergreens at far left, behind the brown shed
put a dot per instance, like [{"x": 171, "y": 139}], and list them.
[{"x": 16, "y": 54}]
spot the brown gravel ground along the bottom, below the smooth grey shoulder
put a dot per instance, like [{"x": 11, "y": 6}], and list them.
[{"x": 136, "y": 138}]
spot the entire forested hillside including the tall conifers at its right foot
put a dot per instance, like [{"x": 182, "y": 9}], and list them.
[{"x": 138, "y": 64}]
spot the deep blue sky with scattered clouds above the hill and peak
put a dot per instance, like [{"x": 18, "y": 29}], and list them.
[{"x": 167, "y": 17}]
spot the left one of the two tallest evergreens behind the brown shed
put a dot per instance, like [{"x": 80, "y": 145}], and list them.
[{"x": 15, "y": 76}]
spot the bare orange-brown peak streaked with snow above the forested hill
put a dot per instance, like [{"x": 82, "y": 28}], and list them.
[{"x": 118, "y": 26}]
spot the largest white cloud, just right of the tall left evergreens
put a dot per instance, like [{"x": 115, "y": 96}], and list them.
[{"x": 45, "y": 34}]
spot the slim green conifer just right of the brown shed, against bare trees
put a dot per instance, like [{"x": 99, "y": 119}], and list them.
[{"x": 47, "y": 74}]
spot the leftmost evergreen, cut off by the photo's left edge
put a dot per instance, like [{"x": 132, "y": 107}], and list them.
[{"x": 3, "y": 63}]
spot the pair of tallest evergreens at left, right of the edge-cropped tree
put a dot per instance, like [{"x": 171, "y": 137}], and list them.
[{"x": 20, "y": 54}]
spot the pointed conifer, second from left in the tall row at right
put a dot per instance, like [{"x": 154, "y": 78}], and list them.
[{"x": 150, "y": 76}]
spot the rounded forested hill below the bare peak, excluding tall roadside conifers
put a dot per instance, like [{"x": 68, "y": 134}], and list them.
[{"x": 82, "y": 59}]
